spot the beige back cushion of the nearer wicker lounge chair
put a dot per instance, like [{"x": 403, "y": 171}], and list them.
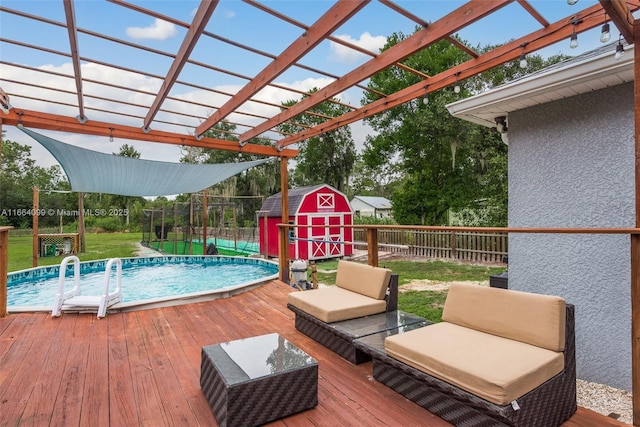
[{"x": 531, "y": 318}]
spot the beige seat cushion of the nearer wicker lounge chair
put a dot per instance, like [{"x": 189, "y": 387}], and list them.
[{"x": 497, "y": 369}]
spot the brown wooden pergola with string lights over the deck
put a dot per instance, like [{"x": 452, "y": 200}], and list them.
[{"x": 187, "y": 129}]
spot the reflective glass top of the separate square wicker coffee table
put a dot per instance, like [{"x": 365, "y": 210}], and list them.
[{"x": 255, "y": 357}]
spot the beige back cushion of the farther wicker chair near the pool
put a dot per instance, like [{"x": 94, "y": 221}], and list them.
[{"x": 363, "y": 279}]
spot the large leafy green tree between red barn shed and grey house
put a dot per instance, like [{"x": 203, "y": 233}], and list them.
[{"x": 439, "y": 156}]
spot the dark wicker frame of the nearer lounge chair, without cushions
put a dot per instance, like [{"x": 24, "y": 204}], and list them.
[{"x": 550, "y": 404}]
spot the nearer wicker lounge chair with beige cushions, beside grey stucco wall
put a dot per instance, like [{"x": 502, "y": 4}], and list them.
[{"x": 453, "y": 398}]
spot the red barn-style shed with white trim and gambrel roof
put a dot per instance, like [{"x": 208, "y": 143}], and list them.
[{"x": 313, "y": 205}]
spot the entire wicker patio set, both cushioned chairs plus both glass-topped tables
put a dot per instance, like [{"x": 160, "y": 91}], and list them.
[{"x": 498, "y": 358}]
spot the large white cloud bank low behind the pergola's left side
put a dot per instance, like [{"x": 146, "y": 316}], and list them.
[{"x": 151, "y": 151}]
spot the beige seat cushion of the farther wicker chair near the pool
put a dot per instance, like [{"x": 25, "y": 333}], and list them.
[{"x": 333, "y": 304}]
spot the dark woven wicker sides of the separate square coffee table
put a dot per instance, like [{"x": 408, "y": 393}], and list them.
[{"x": 261, "y": 400}]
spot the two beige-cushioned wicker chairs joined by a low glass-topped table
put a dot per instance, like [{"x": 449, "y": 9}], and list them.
[{"x": 499, "y": 357}]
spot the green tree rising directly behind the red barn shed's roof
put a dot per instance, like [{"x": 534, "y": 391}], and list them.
[{"x": 325, "y": 159}]
